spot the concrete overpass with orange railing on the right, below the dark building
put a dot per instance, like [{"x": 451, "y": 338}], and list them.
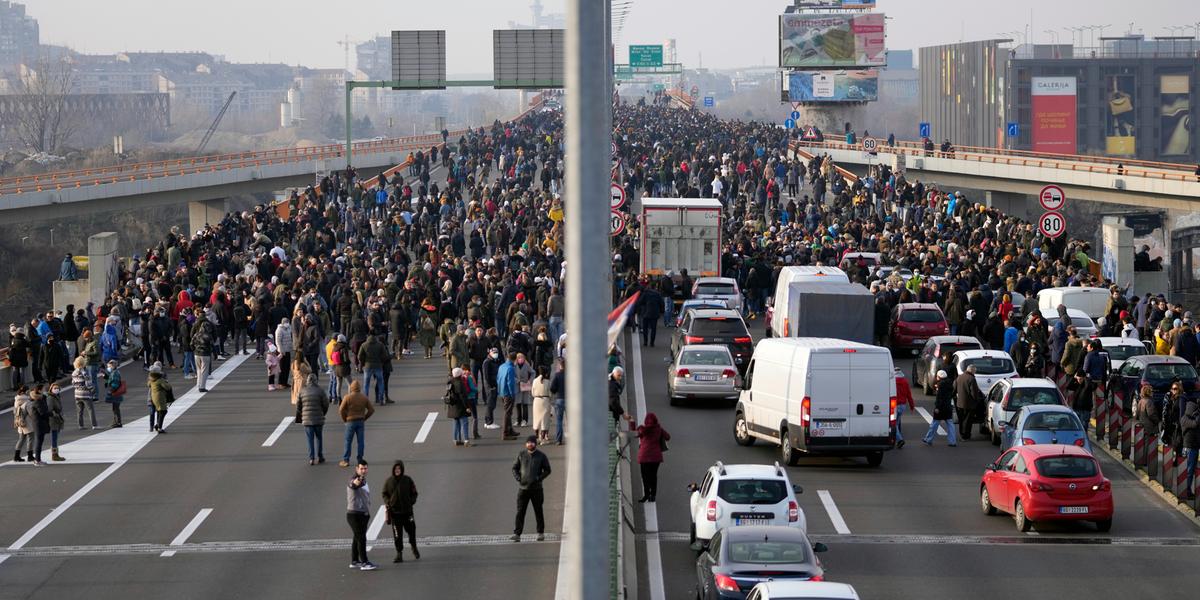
[{"x": 1013, "y": 179}]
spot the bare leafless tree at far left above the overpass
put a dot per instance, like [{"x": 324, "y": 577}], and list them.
[{"x": 45, "y": 122}]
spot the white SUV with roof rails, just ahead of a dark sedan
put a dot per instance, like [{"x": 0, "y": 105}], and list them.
[{"x": 743, "y": 495}]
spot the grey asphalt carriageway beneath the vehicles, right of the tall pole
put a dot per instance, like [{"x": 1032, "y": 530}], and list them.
[{"x": 915, "y": 526}]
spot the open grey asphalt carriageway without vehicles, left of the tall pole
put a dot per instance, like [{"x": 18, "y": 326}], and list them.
[{"x": 275, "y": 527}]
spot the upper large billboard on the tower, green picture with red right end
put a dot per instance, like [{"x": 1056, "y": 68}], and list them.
[{"x": 832, "y": 41}]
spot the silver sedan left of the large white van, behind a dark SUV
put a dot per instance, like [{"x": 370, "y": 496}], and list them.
[{"x": 703, "y": 373}]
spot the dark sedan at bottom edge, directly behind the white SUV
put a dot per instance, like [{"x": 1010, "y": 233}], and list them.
[{"x": 739, "y": 559}]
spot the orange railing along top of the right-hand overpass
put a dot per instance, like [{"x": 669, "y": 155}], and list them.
[{"x": 1169, "y": 172}]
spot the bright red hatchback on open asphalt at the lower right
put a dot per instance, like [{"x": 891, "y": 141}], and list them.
[{"x": 1048, "y": 483}]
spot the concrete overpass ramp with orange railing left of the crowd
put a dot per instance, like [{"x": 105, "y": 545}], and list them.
[{"x": 205, "y": 183}]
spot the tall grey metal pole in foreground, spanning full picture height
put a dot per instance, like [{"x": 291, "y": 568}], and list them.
[{"x": 589, "y": 121}]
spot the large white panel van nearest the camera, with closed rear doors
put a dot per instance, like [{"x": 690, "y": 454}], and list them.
[{"x": 819, "y": 395}]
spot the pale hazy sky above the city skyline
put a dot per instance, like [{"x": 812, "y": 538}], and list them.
[{"x": 723, "y": 34}]
